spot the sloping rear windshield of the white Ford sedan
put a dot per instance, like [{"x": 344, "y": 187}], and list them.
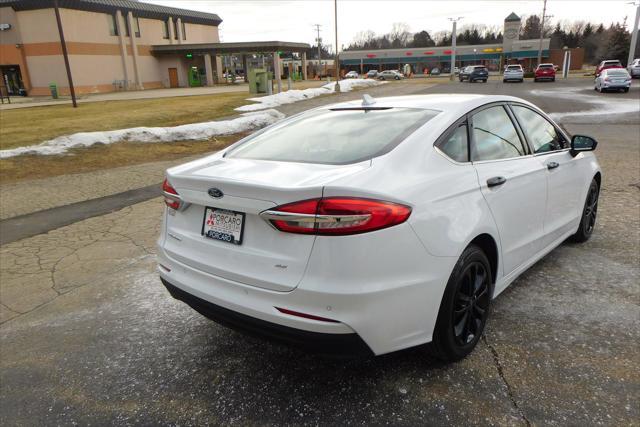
[{"x": 334, "y": 136}]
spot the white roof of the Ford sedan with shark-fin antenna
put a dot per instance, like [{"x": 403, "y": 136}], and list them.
[{"x": 449, "y": 103}]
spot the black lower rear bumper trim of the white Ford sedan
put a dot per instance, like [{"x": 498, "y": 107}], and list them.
[{"x": 327, "y": 344}]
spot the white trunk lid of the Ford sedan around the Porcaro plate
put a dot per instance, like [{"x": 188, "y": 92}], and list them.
[{"x": 265, "y": 257}]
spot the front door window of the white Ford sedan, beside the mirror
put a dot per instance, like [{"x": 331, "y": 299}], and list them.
[{"x": 542, "y": 135}]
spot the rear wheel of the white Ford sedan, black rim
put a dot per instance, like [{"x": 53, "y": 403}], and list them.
[{"x": 464, "y": 308}]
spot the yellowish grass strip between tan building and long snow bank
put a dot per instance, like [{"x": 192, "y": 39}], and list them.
[{"x": 28, "y": 126}]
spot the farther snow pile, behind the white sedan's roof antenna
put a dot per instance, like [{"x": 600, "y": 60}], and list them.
[{"x": 294, "y": 95}]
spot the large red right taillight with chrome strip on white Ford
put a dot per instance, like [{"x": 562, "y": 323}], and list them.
[{"x": 336, "y": 216}]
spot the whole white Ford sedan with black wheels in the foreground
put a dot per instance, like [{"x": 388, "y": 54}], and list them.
[{"x": 369, "y": 227}]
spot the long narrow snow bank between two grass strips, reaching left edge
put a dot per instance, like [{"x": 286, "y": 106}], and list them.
[{"x": 190, "y": 132}]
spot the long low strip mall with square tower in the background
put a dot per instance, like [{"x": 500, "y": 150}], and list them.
[{"x": 512, "y": 50}]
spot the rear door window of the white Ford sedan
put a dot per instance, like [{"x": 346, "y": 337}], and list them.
[{"x": 494, "y": 136}]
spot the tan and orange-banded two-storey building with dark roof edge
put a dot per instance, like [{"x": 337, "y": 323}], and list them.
[{"x": 110, "y": 45}]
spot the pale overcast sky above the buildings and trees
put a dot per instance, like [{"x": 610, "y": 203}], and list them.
[{"x": 262, "y": 20}]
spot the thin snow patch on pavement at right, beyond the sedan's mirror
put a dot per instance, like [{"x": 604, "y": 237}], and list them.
[{"x": 606, "y": 106}]
